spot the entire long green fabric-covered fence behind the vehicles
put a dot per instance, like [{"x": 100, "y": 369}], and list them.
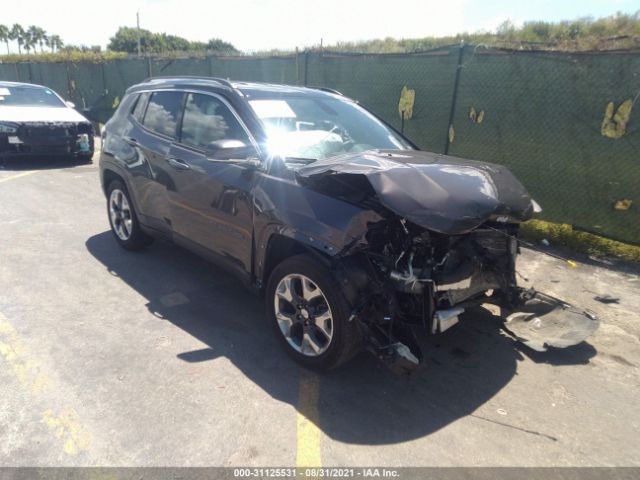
[{"x": 567, "y": 124}]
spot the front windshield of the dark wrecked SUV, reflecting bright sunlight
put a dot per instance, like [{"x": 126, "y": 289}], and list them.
[{"x": 319, "y": 127}]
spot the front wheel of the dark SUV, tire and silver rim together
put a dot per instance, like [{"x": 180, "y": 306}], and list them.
[{"x": 324, "y": 319}]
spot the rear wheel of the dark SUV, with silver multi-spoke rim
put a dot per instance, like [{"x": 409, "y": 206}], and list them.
[{"x": 123, "y": 220}]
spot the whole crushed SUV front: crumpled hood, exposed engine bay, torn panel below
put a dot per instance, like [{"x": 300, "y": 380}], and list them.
[{"x": 447, "y": 242}]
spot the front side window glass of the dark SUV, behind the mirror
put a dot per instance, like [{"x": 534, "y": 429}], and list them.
[{"x": 206, "y": 120}]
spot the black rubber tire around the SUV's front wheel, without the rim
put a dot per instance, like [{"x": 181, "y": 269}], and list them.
[{"x": 346, "y": 338}]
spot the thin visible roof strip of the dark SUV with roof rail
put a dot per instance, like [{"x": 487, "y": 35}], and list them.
[{"x": 247, "y": 89}]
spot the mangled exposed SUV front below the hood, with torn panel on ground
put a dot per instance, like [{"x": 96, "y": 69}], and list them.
[{"x": 408, "y": 280}]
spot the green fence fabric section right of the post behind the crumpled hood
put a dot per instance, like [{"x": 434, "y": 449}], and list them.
[{"x": 542, "y": 117}]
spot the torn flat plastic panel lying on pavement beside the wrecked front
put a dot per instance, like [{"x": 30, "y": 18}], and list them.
[{"x": 542, "y": 321}]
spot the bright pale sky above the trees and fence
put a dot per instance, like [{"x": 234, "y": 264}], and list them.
[{"x": 254, "y": 25}]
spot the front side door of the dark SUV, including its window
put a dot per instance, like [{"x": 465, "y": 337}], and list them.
[{"x": 211, "y": 204}]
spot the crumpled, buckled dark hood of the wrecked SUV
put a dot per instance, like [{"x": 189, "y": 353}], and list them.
[{"x": 441, "y": 193}]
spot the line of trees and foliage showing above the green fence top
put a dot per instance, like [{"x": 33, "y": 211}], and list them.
[{"x": 620, "y": 31}]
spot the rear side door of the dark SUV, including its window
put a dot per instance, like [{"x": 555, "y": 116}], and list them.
[{"x": 153, "y": 137}]
